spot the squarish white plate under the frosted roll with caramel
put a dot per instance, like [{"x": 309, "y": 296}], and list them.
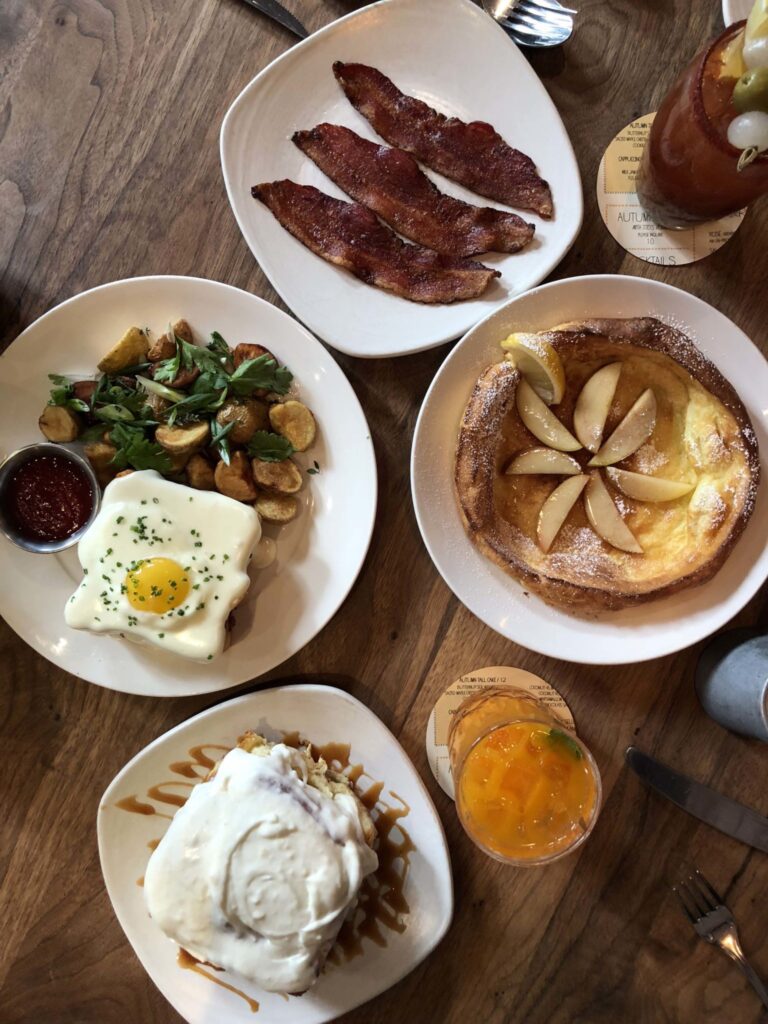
[{"x": 323, "y": 715}]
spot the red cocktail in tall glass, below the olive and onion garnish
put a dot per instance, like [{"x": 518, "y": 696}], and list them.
[{"x": 689, "y": 175}]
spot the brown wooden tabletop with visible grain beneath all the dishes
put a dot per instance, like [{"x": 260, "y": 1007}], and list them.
[{"x": 110, "y": 115}]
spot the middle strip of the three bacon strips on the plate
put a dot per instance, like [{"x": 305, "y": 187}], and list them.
[{"x": 392, "y": 184}]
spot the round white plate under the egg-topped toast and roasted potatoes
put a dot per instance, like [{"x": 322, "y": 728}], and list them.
[{"x": 320, "y": 554}]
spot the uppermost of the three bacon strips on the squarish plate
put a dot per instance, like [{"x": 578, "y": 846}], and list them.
[{"x": 474, "y": 154}]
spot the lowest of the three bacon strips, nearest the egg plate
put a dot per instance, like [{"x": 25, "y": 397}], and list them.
[{"x": 351, "y": 236}]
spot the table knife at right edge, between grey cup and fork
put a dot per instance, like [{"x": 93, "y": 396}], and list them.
[{"x": 721, "y": 813}]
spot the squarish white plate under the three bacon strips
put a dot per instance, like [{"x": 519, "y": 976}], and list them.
[{"x": 449, "y": 54}]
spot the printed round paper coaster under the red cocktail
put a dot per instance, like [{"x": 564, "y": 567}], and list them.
[{"x": 631, "y": 226}]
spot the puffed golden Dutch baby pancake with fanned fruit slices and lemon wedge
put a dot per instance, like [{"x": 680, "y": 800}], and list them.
[{"x": 605, "y": 463}]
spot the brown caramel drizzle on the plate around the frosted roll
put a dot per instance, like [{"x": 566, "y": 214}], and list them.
[{"x": 381, "y": 904}]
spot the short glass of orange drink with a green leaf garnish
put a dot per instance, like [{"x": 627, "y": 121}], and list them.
[{"x": 528, "y": 791}]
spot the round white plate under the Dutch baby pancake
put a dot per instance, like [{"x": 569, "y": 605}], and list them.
[{"x": 634, "y": 634}]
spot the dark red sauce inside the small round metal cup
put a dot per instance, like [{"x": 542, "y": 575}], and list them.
[{"x": 49, "y": 498}]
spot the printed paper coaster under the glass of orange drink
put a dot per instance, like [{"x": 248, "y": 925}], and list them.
[{"x": 447, "y": 707}]
